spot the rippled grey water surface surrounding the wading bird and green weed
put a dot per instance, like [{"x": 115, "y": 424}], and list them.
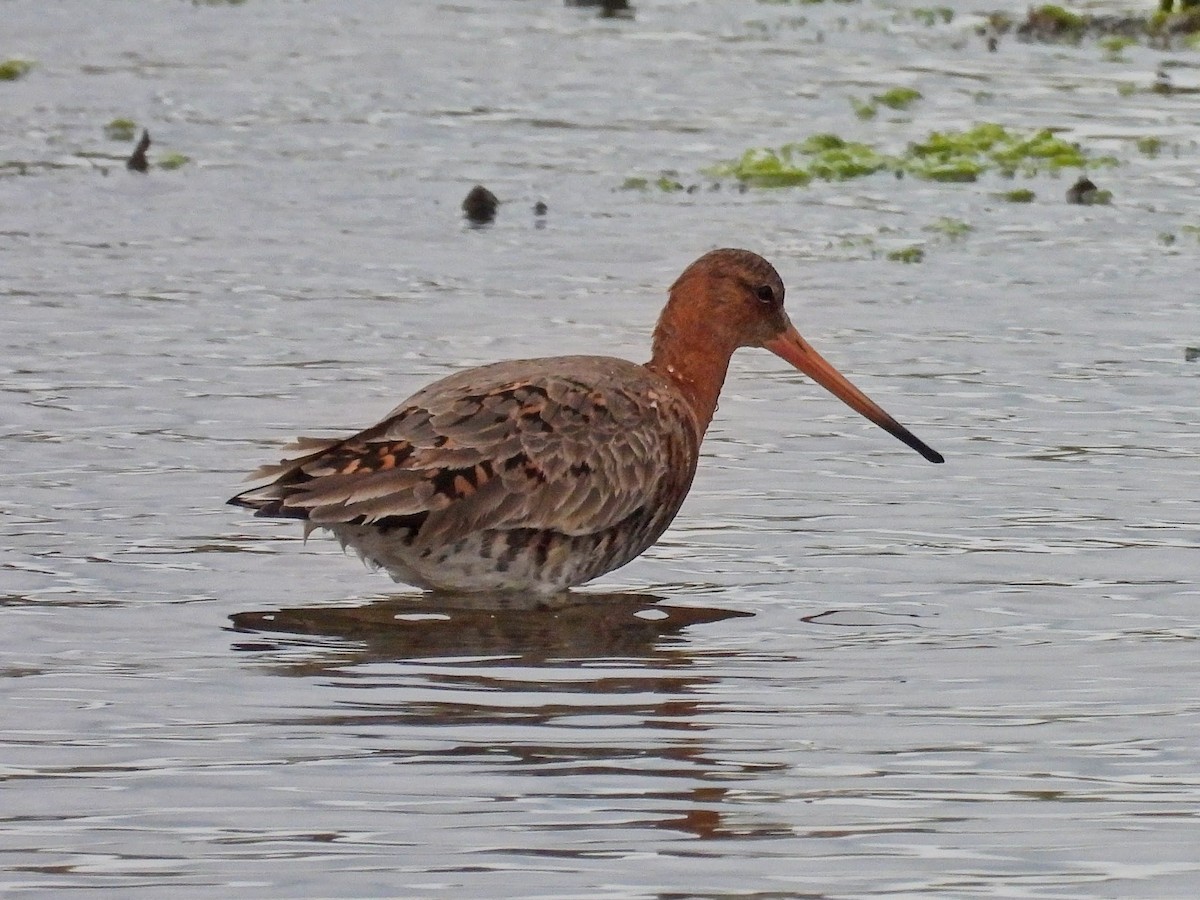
[{"x": 844, "y": 673}]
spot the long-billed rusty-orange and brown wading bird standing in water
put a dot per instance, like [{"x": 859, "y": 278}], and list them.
[{"x": 536, "y": 476}]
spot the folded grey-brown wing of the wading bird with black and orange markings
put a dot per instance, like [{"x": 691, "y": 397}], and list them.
[{"x": 574, "y": 445}]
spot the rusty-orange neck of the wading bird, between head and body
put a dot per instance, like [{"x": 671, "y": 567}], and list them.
[{"x": 689, "y": 355}]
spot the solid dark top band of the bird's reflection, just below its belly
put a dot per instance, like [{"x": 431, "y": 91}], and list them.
[{"x": 417, "y": 627}]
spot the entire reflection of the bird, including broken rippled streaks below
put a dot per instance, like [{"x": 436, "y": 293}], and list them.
[{"x": 541, "y": 700}]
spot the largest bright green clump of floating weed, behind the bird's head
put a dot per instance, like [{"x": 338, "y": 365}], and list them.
[{"x": 941, "y": 157}]
